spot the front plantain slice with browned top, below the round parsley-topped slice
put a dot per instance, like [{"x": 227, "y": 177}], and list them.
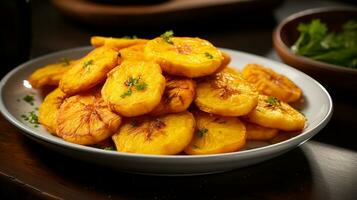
[{"x": 166, "y": 135}]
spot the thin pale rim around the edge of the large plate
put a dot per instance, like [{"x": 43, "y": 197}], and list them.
[{"x": 299, "y": 139}]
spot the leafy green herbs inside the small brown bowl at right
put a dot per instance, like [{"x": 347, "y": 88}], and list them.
[{"x": 318, "y": 43}]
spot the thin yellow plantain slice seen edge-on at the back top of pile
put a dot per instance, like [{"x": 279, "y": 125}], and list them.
[{"x": 117, "y": 43}]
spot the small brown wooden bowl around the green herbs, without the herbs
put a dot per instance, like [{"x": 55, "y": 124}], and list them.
[{"x": 286, "y": 33}]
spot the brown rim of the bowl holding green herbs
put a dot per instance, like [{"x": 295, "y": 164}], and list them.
[{"x": 277, "y": 39}]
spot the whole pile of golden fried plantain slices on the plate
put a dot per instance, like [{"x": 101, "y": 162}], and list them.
[{"x": 136, "y": 96}]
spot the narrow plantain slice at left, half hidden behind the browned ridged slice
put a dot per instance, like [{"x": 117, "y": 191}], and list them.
[{"x": 49, "y": 109}]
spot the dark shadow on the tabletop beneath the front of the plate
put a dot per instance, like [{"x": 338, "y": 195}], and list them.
[{"x": 288, "y": 176}]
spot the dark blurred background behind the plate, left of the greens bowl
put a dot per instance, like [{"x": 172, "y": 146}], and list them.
[{"x": 31, "y": 28}]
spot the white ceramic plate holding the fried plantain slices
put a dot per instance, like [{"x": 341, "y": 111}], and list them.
[{"x": 317, "y": 109}]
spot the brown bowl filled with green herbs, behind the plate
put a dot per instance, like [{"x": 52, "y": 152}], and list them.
[{"x": 322, "y": 42}]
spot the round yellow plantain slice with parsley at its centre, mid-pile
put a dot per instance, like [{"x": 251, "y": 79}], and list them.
[{"x": 134, "y": 88}]
